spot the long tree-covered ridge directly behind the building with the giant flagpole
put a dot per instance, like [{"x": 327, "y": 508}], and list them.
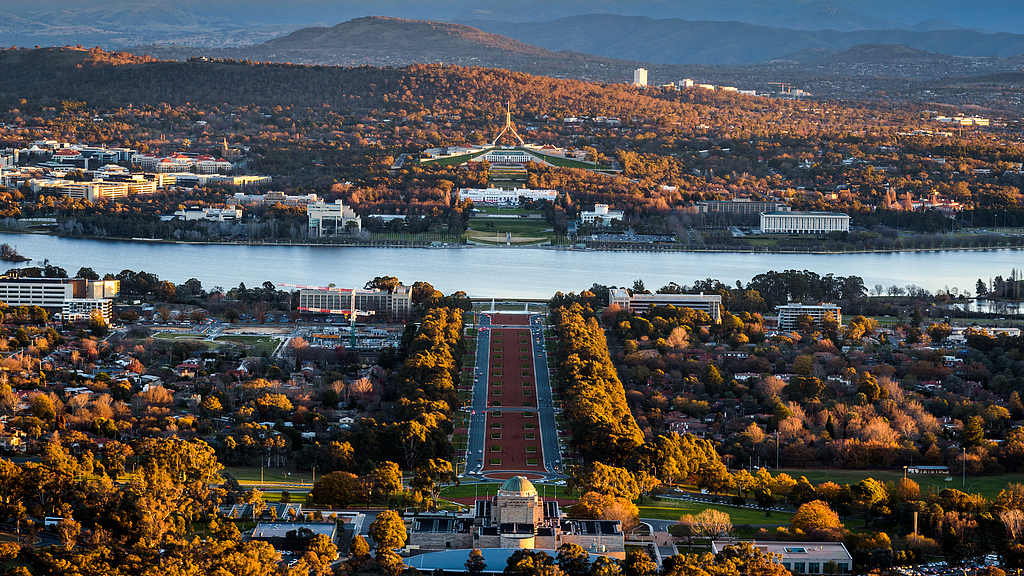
[{"x": 65, "y": 74}]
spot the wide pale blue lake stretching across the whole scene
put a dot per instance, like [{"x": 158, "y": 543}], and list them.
[{"x": 487, "y": 272}]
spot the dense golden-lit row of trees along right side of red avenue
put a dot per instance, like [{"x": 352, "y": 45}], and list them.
[{"x": 593, "y": 398}]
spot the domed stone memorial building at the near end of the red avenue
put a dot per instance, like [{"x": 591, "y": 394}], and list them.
[{"x": 517, "y": 518}]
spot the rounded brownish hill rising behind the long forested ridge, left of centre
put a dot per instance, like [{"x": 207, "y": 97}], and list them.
[{"x": 386, "y": 42}]
